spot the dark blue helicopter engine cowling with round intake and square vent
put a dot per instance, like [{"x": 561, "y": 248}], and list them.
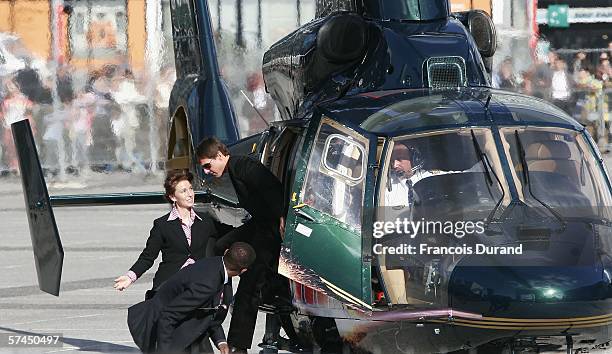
[{"x": 346, "y": 54}]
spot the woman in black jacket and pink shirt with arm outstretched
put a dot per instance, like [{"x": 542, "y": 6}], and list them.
[{"x": 181, "y": 235}]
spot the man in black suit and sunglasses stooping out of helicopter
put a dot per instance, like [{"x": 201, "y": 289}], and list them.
[{"x": 259, "y": 193}]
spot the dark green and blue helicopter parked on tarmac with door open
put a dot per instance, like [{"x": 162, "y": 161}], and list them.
[{"x": 362, "y": 78}]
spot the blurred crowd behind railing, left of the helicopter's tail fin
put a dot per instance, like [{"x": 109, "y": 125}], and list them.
[{"x": 103, "y": 125}]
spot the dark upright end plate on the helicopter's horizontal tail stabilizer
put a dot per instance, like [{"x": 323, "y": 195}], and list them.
[{"x": 47, "y": 246}]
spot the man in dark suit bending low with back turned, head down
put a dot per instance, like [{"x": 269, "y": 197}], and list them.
[{"x": 187, "y": 308}]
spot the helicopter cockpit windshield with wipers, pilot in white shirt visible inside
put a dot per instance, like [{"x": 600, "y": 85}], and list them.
[{"x": 456, "y": 177}]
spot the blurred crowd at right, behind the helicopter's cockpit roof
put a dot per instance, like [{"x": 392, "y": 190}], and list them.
[{"x": 580, "y": 84}]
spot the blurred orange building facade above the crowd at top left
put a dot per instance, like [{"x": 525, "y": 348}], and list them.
[{"x": 91, "y": 33}]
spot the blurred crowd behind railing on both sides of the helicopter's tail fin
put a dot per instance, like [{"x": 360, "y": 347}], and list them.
[{"x": 110, "y": 118}]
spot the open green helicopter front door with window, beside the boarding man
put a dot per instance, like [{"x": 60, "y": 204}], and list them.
[{"x": 323, "y": 230}]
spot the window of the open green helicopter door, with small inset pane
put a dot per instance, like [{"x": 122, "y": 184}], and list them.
[{"x": 336, "y": 173}]
